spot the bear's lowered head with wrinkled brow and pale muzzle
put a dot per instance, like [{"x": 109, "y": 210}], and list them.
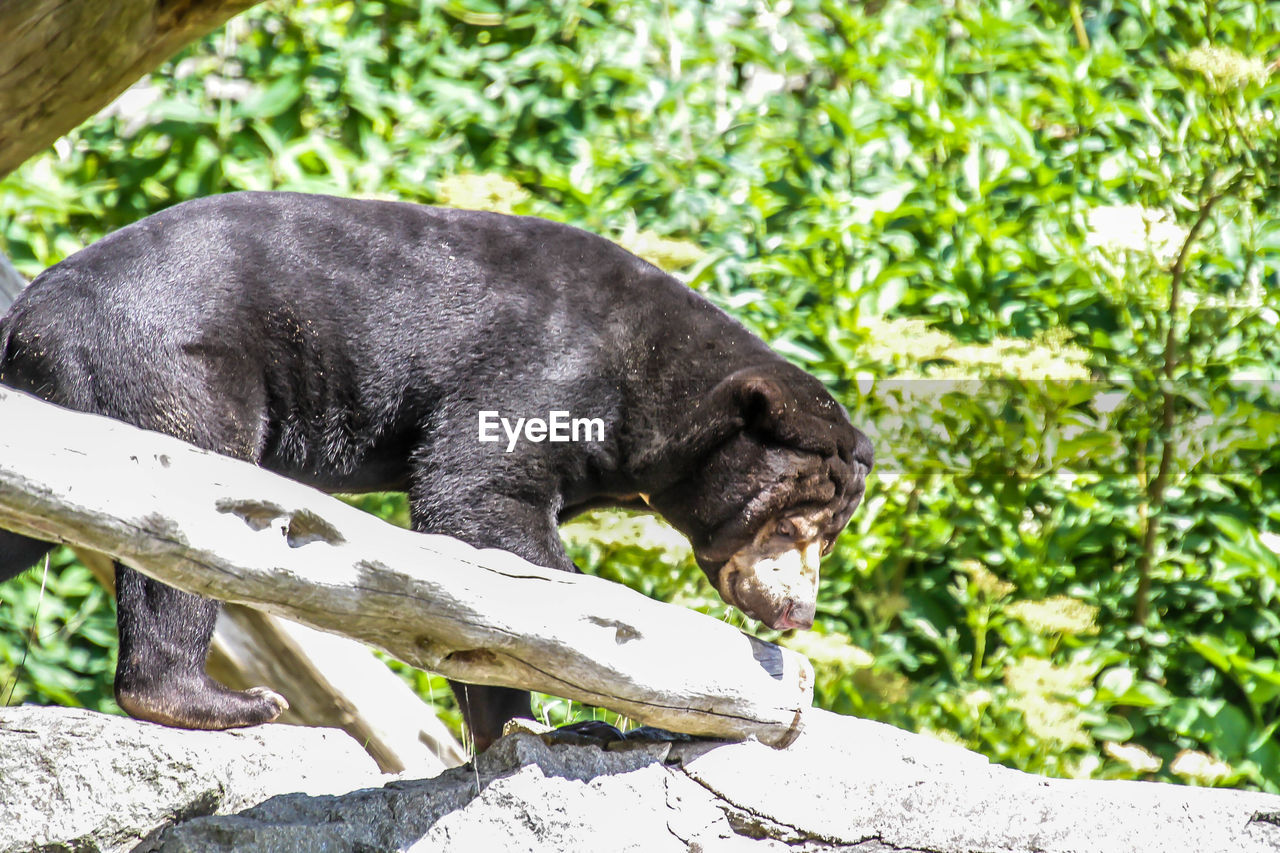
[{"x": 771, "y": 472}]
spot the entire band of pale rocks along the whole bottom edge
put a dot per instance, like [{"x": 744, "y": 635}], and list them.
[{"x": 845, "y": 784}]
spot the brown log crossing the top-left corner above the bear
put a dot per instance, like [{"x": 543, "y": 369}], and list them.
[{"x": 62, "y": 62}]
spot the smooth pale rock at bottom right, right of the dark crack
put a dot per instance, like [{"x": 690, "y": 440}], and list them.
[{"x": 867, "y": 782}]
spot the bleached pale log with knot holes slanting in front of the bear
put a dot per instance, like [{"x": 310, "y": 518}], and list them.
[{"x": 226, "y": 530}]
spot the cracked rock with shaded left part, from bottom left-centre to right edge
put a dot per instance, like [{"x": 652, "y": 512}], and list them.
[{"x": 845, "y": 784}]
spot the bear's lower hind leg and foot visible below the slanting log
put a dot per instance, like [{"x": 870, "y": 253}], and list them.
[{"x": 161, "y": 676}]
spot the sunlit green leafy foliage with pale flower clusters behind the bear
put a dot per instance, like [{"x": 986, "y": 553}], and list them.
[{"x": 1035, "y": 248}]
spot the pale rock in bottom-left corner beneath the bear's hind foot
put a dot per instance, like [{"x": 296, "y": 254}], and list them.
[{"x": 79, "y": 781}]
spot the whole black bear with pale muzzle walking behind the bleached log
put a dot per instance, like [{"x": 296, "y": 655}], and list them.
[{"x": 378, "y": 346}]
